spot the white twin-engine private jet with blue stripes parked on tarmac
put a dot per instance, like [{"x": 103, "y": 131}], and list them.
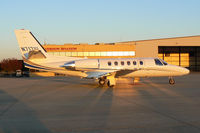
[{"x": 105, "y": 70}]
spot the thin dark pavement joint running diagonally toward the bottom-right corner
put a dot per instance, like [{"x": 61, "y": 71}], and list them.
[{"x": 158, "y": 112}]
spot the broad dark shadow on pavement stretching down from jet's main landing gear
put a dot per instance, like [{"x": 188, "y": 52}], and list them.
[{"x": 96, "y": 109}]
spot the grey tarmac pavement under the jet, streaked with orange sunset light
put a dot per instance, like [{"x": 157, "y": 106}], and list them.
[{"x": 71, "y": 104}]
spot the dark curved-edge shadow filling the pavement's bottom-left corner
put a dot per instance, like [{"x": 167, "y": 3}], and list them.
[{"x": 15, "y": 116}]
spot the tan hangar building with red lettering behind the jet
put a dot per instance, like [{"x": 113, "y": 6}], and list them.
[{"x": 182, "y": 51}]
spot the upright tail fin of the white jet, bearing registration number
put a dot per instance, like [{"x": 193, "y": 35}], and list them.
[{"x": 28, "y": 43}]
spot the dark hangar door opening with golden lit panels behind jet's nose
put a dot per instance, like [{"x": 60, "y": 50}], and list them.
[{"x": 185, "y": 56}]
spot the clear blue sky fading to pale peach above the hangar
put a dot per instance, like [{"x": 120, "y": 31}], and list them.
[{"x": 95, "y": 21}]
